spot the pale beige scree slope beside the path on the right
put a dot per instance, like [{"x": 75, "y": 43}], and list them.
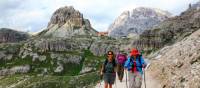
[{"x": 178, "y": 65}]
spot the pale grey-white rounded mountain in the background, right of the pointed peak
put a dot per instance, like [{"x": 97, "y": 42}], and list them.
[{"x": 136, "y": 21}]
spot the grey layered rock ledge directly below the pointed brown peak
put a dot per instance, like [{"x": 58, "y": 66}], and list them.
[{"x": 59, "y": 44}]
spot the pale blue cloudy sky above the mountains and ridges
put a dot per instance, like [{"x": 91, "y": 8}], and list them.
[{"x": 34, "y": 15}]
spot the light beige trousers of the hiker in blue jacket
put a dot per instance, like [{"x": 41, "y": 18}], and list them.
[{"x": 135, "y": 80}]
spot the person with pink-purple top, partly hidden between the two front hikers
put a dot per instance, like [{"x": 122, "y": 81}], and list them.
[{"x": 121, "y": 58}]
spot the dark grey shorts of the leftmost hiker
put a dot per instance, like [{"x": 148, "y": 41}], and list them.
[{"x": 109, "y": 78}]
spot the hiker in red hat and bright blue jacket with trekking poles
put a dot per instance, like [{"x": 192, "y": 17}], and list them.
[{"x": 134, "y": 65}]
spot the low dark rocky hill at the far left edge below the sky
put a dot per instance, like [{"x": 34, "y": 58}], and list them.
[{"x": 10, "y": 35}]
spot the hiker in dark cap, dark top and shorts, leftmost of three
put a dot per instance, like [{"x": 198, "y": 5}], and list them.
[{"x": 109, "y": 70}]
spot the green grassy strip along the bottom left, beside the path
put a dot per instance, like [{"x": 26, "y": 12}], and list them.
[{"x": 26, "y": 81}]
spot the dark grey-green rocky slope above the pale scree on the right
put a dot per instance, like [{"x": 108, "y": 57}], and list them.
[{"x": 169, "y": 31}]
